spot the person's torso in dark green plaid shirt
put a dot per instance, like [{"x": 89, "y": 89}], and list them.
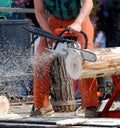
[{"x": 63, "y": 9}]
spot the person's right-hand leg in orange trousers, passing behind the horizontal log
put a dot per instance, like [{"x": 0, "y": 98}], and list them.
[{"x": 88, "y": 87}]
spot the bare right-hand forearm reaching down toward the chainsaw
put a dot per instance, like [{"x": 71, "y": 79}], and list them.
[{"x": 85, "y": 10}]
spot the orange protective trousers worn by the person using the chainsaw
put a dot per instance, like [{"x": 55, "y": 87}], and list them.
[{"x": 88, "y": 87}]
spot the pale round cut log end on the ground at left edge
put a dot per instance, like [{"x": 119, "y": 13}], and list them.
[{"x": 4, "y": 105}]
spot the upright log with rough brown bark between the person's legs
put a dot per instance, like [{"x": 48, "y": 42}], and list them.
[{"x": 62, "y": 92}]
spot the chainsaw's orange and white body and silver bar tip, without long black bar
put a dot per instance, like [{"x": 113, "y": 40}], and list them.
[{"x": 65, "y": 47}]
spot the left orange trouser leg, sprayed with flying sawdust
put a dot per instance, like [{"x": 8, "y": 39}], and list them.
[{"x": 41, "y": 76}]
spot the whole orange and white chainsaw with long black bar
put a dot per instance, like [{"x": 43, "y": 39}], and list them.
[{"x": 65, "y": 42}]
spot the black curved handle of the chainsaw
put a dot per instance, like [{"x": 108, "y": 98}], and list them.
[{"x": 83, "y": 33}]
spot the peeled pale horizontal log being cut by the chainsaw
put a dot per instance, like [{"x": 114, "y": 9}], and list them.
[{"x": 107, "y": 64}]
